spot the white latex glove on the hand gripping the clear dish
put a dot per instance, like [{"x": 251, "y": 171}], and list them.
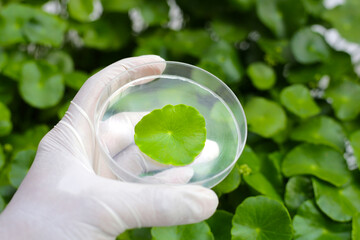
[{"x": 65, "y": 196}]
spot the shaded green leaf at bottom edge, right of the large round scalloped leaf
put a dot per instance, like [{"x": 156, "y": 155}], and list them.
[{"x": 310, "y": 224}]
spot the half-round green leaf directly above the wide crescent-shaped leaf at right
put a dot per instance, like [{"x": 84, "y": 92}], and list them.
[{"x": 321, "y": 130}]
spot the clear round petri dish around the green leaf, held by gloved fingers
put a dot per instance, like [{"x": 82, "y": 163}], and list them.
[{"x": 141, "y": 89}]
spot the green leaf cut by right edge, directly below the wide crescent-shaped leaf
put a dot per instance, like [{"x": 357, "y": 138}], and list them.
[{"x": 338, "y": 203}]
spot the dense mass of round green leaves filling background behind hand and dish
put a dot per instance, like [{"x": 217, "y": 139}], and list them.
[{"x": 300, "y": 94}]
